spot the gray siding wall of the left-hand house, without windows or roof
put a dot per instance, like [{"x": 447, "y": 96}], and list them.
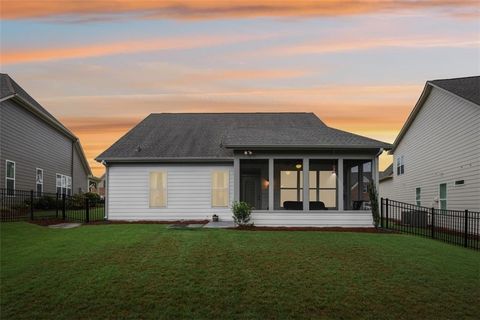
[{"x": 32, "y": 144}]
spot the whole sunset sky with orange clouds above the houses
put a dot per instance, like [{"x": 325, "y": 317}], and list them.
[{"x": 102, "y": 66}]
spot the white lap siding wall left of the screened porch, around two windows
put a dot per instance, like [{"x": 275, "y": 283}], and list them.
[{"x": 188, "y": 192}]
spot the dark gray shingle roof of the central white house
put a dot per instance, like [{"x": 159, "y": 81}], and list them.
[{"x": 198, "y": 136}]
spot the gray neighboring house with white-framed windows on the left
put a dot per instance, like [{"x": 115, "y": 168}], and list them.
[{"x": 37, "y": 152}]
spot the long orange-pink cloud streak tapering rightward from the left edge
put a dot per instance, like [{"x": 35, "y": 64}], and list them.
[{"x": 120, "y": 47}]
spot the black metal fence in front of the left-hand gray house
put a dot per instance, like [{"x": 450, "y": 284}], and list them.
[{"x": 18, "y": 205}]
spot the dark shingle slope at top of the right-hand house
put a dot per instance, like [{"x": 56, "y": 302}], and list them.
[{"x": 467, "y": 88}]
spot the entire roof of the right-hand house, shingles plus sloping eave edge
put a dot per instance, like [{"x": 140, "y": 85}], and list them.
[{"x": 467, "y": 88}]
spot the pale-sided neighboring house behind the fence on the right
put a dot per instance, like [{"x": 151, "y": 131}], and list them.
[{"x": 437, "y": 153}]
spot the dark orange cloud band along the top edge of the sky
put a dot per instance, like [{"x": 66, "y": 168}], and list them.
[{"x": 218, "y": 9}]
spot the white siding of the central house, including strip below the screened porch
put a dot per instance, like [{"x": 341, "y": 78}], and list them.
[{"x": 189, "y": 197}]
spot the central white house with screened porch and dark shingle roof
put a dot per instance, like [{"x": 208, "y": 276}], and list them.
[{"x": 191, "y": 166}]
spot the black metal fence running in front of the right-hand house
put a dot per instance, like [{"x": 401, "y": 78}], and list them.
[{"x": 451, "y": 226}]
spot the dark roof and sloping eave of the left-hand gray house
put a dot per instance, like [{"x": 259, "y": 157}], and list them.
[{"x": 9, "y": 89}]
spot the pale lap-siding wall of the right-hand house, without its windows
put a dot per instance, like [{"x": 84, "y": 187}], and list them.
[{"x": 442, "y": 145}]
